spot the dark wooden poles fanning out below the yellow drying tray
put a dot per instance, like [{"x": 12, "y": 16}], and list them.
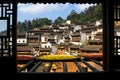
[{"x": 38, "y": 63}]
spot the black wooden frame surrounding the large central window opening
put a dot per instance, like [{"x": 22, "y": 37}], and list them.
[{"x": 108, "y": 38}]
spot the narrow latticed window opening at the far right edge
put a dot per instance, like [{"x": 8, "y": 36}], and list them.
[{"x": 116, "y": 35}]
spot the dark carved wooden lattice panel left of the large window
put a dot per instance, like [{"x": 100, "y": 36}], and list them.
[{"x": 6, "y": 24}]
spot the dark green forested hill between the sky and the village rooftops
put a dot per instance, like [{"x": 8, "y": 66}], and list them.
[{"x": 89, "y": 15}]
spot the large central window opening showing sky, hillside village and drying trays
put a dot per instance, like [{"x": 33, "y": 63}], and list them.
[{"x": 71, "y": 49}]
